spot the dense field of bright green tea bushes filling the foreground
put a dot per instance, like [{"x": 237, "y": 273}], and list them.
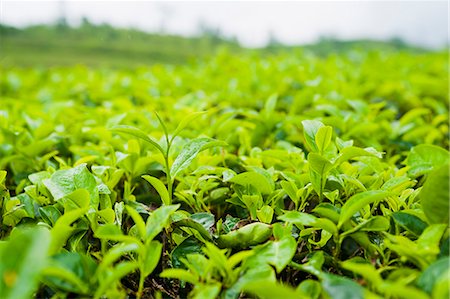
[{"x": 283, "y": 176}]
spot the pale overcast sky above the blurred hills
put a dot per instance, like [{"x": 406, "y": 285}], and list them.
[{"x": 419, "y": 22}]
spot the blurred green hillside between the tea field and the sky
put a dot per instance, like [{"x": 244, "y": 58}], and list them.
[{"x": 106, "y": 46}]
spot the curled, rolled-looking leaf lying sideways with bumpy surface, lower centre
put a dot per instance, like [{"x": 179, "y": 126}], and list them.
[{"x": 248, "y": 235}]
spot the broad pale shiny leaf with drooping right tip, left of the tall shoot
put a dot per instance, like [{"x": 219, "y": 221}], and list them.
[{"x": 63, "y": 182}]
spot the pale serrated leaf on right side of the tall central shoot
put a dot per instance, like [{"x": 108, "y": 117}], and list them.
[{"x": 189, "y": 151}]
